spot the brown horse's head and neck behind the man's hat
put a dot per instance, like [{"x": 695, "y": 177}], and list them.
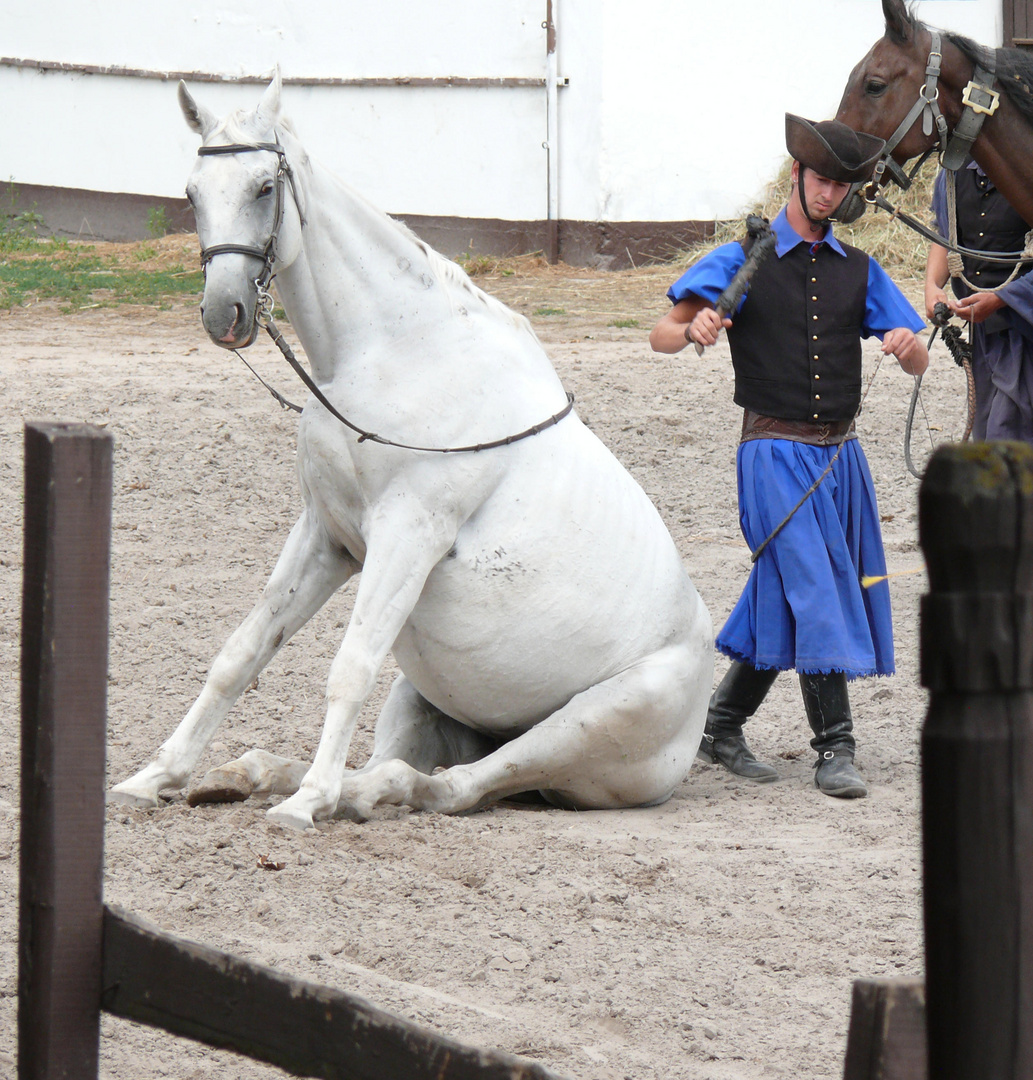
[{"x": 889, "y": 82}]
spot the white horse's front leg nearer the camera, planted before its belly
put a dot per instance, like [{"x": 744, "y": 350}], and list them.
[{"x": 404, "y": 545}]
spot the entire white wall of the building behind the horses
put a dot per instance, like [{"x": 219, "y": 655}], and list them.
[{"x": 674, "y": 112}]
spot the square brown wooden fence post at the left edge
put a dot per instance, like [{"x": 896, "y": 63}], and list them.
[{"x": 64, "y": 694}]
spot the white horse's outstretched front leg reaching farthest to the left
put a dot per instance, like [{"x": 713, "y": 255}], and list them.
[{"x": 307, "y": 574}]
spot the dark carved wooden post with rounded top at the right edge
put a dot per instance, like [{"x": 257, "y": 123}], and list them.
[{"x": 976, "y": 529}]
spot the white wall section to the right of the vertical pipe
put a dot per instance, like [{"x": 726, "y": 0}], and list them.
[{"x": 692, "y": 96}]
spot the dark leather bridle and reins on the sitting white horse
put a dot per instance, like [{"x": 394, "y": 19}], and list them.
[{"x": 264, "y": 312}]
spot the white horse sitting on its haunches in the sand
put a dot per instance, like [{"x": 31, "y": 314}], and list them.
[{"x": 549, "y": 636}]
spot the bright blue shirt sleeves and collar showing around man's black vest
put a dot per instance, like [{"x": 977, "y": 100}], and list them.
[{"x": 887, "y": 307}]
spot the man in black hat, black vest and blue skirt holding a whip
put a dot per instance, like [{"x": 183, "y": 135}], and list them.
[{"x": 797, "y": 358}]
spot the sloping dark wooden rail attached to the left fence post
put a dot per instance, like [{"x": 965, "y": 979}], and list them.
[{"x": 311, "y": 1031}]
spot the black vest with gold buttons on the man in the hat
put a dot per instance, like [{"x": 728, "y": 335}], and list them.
[{"x": 796, "y": 343}]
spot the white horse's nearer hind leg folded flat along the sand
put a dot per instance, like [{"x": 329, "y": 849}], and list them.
[{"x": 628, "y": 741}]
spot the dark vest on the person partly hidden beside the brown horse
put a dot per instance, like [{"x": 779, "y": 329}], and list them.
[{"x": 986, "y": 221}]
